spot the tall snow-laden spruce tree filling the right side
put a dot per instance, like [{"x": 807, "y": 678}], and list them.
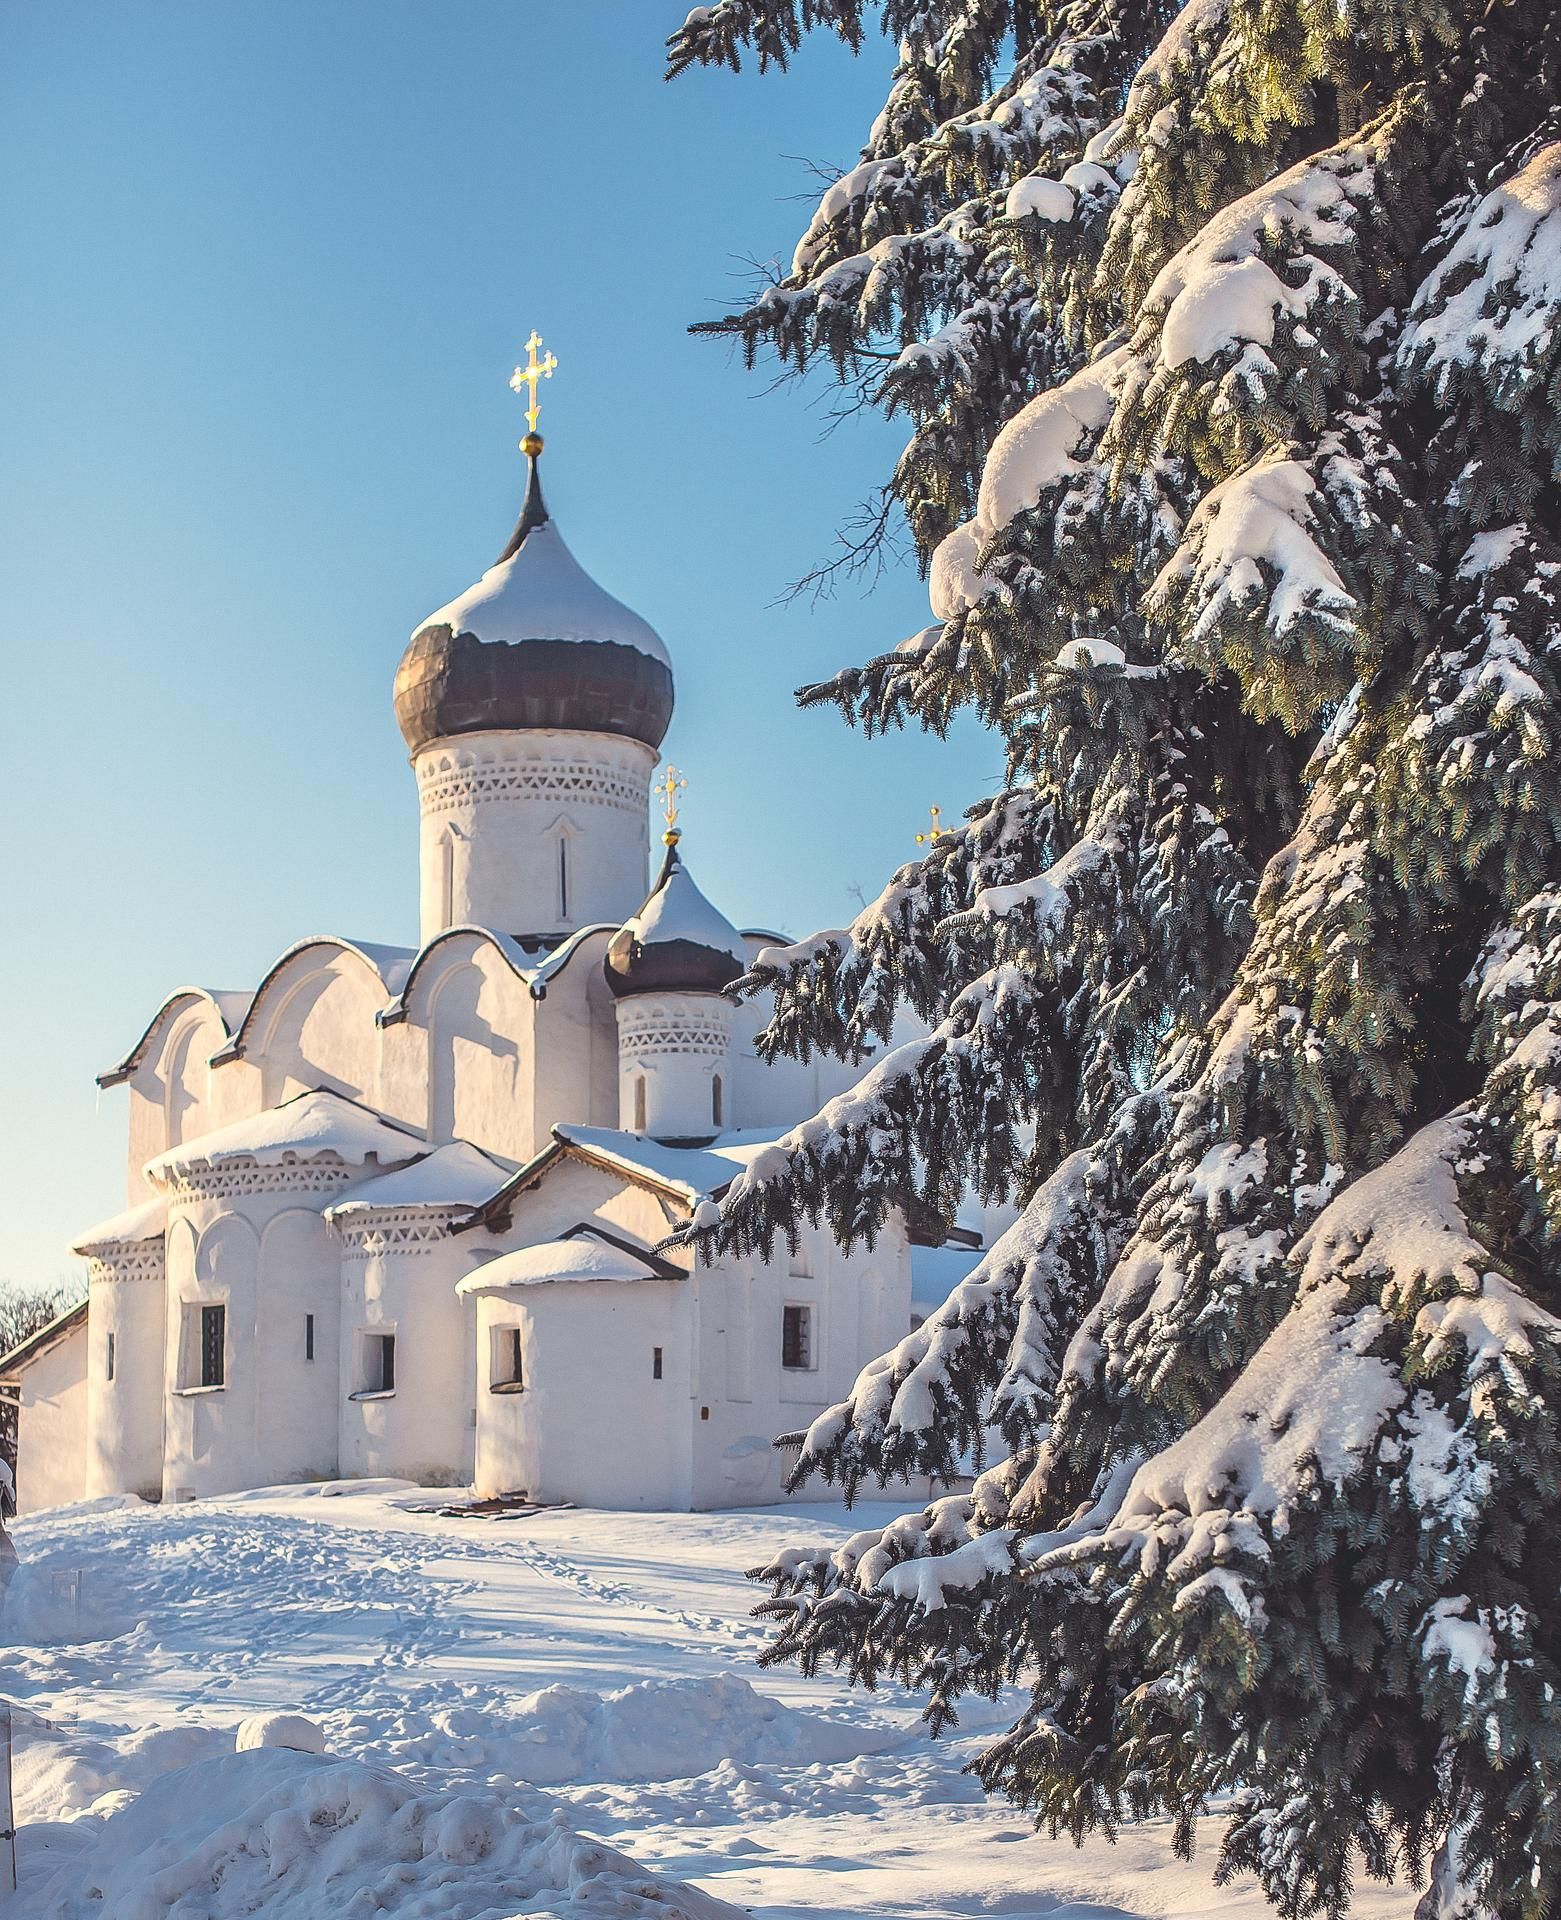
[{"x": 1228, "y": 339}]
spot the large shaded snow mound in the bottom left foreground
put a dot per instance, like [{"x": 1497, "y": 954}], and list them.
[{"x": 308, "y": 1838}]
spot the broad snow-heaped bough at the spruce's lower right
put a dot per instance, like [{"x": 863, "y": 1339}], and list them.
[{"x": 1395, "y": 1291}]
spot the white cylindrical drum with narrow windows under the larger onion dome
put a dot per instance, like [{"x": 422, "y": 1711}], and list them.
[{"x": 494, "y": 809}]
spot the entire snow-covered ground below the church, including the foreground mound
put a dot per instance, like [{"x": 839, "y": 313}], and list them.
[{"x": 489, "y": 1694}]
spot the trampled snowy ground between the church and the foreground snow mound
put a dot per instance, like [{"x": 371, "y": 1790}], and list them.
[{"x": 477, "y": 1654}]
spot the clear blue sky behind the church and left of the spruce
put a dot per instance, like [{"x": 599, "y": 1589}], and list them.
[{"x": 268, "y": 270}]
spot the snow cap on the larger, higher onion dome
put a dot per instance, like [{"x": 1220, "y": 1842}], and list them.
[{"x": 542, "y": 592}]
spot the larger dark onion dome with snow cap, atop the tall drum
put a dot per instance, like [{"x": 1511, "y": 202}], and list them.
[{"x": 535, "y": 644}]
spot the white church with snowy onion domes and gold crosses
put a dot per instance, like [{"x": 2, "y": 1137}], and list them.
[{"x": 398, "y": 1212}]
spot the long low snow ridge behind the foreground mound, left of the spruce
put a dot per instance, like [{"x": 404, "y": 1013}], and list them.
[{"x": 656, "y": 1731}]
